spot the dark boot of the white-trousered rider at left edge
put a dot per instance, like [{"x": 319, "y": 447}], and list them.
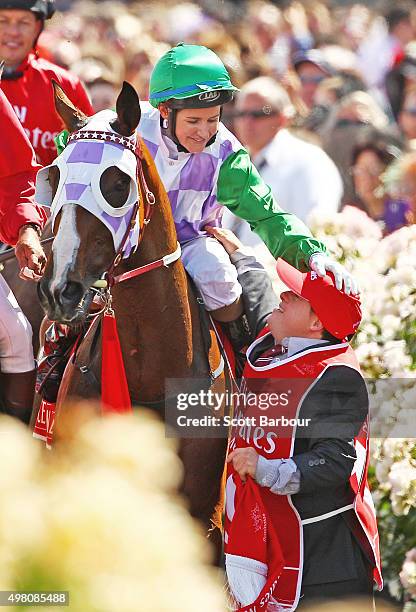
[{"x": 16, "y": 393}]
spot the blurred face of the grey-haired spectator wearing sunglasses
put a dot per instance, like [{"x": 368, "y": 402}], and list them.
[{"x": 256, "y": 123}]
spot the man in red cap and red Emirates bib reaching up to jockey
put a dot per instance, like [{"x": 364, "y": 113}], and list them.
[{"x": 308, "y": 454}]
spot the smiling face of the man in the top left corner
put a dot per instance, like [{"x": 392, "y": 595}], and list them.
[{"x": 18, "y": 31}]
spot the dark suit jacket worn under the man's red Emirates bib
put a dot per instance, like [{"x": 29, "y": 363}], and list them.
[{"x": 337, "y": 405}]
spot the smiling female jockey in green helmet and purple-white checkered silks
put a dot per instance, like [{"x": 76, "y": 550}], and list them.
[{"x": 204, "y": 167}]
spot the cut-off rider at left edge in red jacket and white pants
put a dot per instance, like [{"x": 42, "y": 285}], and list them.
[{"x": 21, "y": 221}]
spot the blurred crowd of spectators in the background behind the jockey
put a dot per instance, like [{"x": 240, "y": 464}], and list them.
[{"x": 328, "y": 96}]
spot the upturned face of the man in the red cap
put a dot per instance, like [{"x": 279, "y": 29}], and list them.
[{"x": 294, "y": 317}]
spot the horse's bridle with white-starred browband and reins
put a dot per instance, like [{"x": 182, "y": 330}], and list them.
[{"x": 145, "y": 214}]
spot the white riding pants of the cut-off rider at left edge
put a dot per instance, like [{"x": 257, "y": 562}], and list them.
[{"x": 16, "y": 352}]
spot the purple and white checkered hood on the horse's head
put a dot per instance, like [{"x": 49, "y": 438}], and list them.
[{"x": 81, "y": 166}]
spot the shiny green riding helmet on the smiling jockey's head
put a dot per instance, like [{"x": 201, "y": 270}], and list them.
[{"x": 190, "y": 76}]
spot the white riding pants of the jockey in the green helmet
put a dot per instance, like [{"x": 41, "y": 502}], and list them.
[{"x": 209, "y": 266}]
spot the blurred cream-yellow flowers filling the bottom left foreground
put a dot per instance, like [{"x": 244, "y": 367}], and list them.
[{"x": 96, "y": 516}]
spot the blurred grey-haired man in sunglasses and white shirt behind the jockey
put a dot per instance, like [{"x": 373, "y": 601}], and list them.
[{"x": 302, "y": 177}]
